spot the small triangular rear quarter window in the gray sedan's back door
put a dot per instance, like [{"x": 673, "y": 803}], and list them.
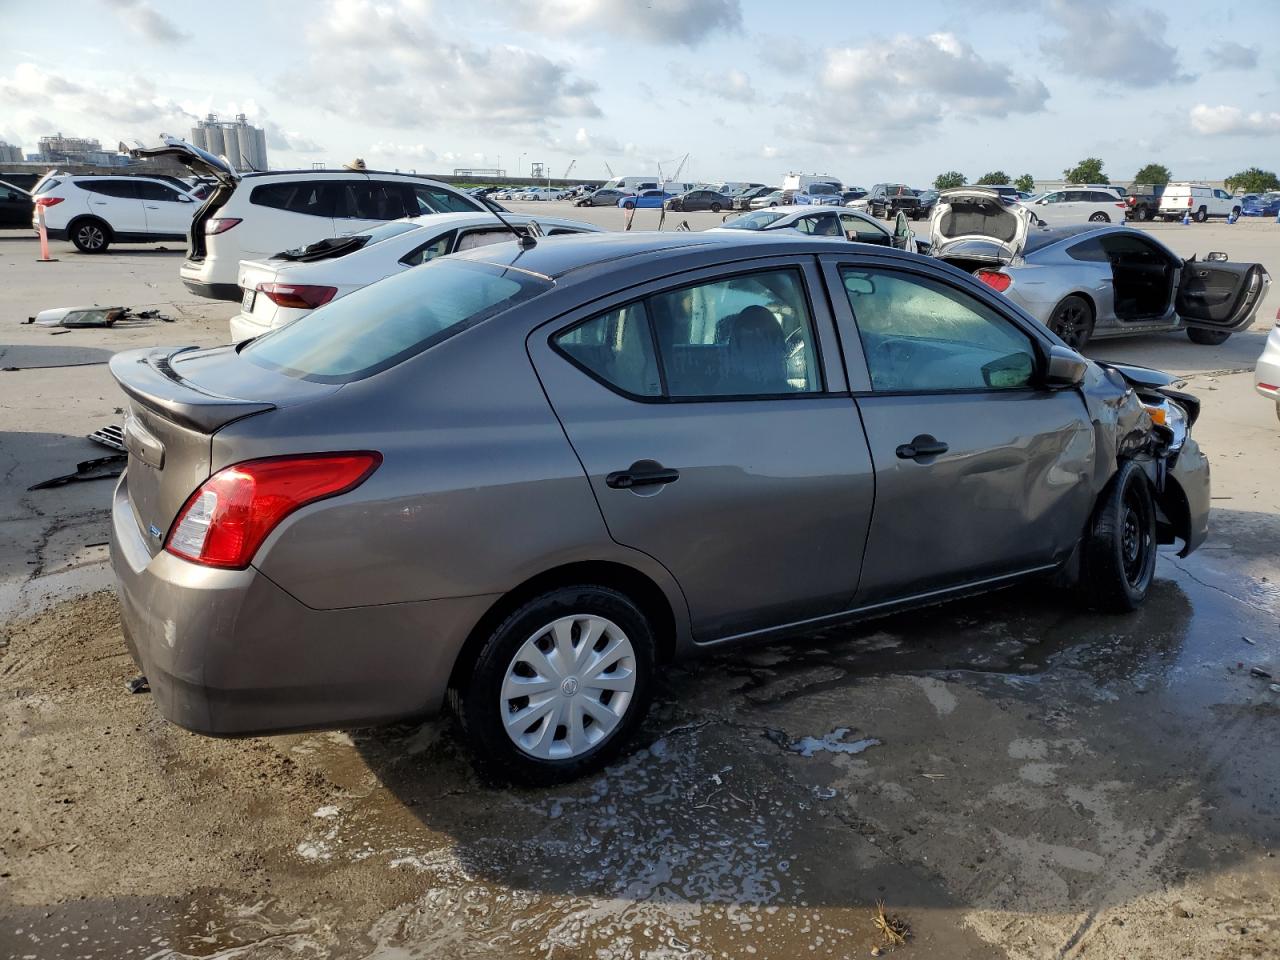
[{"x": 618, "y": 349}]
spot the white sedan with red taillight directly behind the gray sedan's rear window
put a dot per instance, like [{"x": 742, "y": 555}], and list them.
[{"x": 278, "y": 291}]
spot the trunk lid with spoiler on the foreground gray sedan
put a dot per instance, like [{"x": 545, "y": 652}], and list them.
[{"x": 179, "y": 399}]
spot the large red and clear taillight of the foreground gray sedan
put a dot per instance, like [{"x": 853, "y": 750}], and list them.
[{"x": 225, "y": 522}]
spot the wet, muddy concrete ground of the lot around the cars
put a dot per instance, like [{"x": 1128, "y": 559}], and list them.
[{"x": 1012, "y": 776}]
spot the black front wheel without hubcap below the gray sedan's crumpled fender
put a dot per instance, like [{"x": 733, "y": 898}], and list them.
[{"x": 1118, "y": 561}]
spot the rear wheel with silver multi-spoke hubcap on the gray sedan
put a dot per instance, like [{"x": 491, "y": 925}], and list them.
[{"x": 560, "y": 687}]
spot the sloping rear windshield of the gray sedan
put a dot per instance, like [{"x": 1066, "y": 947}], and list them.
[{"x": 383, "y": 324}]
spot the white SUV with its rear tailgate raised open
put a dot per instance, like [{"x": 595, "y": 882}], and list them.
[{"x": 257, "y": 216}]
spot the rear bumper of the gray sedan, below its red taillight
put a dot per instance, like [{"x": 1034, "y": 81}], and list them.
[{"x": 231, "y": 653}]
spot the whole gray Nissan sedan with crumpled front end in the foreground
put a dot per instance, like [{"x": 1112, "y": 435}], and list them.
[{"x": 523, "y": 481}]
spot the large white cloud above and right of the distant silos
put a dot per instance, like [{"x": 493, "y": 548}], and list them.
[{"x": 385, "y": 63}]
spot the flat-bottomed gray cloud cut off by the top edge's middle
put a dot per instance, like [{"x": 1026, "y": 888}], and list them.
[{"x": 665, "y": 22}]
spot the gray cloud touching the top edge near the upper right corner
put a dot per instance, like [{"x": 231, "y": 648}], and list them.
[{"x": 1104, "y": 42}]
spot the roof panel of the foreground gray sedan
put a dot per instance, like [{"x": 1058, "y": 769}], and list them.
[{"x": 568, "y": 255}]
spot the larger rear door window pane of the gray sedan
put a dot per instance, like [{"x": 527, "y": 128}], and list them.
[{"x": 746, "y": 336}]
